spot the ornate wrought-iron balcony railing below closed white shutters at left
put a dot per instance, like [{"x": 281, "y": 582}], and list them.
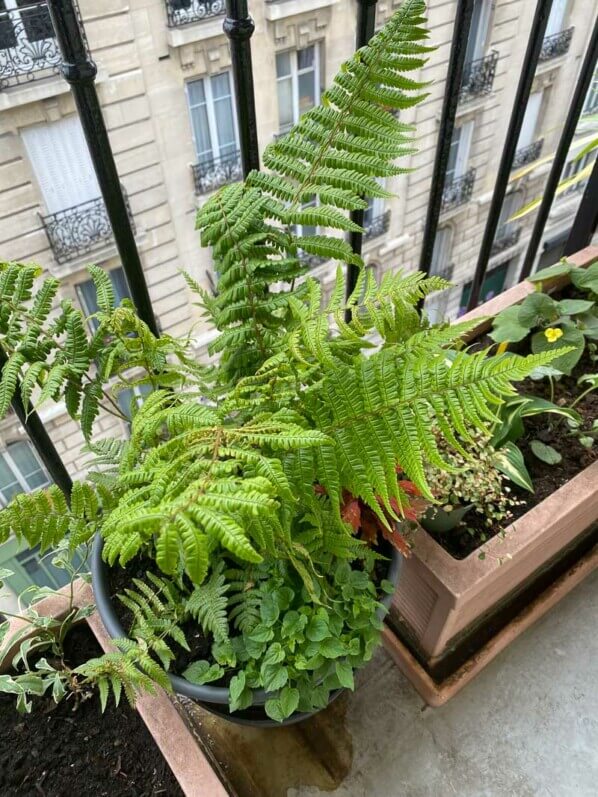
[{"x": 78, "y": 230}]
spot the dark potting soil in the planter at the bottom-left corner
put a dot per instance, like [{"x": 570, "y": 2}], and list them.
[{"x": 73, "y": 750}]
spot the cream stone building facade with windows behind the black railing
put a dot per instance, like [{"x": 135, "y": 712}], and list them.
[{"x": 165, "y": 88}]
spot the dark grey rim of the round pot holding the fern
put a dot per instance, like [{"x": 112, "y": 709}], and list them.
[{"x": 201, "y": 692}]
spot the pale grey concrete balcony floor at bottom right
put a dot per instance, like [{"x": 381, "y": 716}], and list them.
[{"x": 526, "y": 727}]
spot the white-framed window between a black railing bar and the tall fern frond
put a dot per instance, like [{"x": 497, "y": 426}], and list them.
[{"x": 298, "y": 84}]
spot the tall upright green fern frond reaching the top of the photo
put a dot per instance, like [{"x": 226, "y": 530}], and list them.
[{"x": 327, "y": 160}]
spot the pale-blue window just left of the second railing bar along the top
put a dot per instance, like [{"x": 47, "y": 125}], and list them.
[{"x": 213, "y": 121}]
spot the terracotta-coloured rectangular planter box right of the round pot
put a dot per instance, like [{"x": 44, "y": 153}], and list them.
[{"x": 441, "y": 601}]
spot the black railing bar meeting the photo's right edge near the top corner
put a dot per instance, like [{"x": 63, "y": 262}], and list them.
[{"x": 584, "y": 81}]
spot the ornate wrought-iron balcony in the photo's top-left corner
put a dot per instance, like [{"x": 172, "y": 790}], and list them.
[{"x": 28, "y": 48}]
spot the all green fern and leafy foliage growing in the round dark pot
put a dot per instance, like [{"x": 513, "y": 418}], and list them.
[{"x": 234, "y": 476}]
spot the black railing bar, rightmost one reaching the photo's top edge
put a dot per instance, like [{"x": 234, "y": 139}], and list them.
[{"x": 524, "y": 86}]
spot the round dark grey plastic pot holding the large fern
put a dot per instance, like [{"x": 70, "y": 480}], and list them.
[{"x": 212, "y": 698}]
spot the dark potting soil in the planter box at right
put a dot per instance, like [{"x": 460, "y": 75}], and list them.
[{"x": 551, "y": 430}]
